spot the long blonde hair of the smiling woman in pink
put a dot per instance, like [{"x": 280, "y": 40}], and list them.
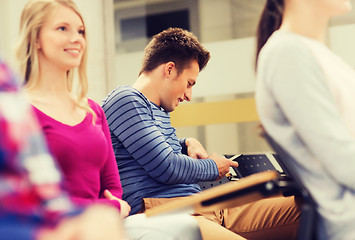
[{"x": 33, "y": 17}]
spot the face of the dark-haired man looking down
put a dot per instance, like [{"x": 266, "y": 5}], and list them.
[{"x": 179, "y": 87}]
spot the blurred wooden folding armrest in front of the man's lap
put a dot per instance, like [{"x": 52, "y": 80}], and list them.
[{"x": 251, "y": 188}]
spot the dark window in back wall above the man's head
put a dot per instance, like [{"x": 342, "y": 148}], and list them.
[{"x": 137, "y": 21}]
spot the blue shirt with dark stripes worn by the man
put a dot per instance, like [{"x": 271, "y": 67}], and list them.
[{"x": 148, "y": 152}]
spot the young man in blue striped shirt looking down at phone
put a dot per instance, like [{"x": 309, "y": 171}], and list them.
[{"x": 155, "y": 165}]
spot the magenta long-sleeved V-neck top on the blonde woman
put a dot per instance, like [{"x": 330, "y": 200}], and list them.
[{"x": 85, "y": 155}]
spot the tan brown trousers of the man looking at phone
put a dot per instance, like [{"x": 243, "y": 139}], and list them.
[{"x": 270, "y": 218}]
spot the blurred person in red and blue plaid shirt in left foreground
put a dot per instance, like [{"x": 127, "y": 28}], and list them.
[{"x": 32, "y": 205}]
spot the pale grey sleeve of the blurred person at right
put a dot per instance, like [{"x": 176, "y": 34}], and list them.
[{"x": 299, "y": 86}]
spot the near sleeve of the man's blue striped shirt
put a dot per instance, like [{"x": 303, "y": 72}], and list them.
[{"x": 130, "y": 119}]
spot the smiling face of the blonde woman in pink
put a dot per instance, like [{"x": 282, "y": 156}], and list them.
[{"x": 61, "y": 41}]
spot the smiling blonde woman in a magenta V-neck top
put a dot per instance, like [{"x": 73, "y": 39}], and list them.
[{"x": 52, "y": 45}]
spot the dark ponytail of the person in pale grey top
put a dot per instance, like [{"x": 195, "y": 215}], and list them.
[{"x": 270, "y": 21}]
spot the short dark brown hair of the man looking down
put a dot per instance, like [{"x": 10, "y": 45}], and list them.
[{"x": 175, "y": 45}]
